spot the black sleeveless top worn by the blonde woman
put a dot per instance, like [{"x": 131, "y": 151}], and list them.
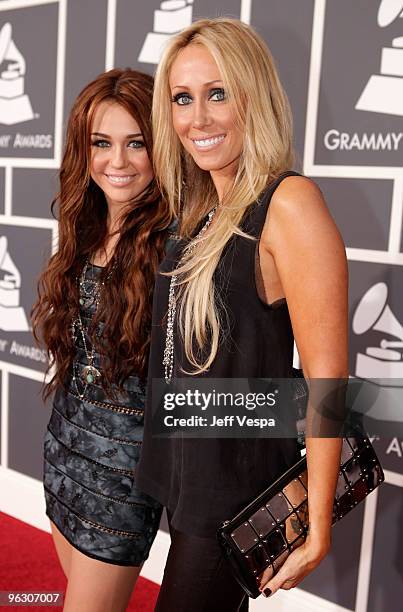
[{"x": 203, "y": 482}]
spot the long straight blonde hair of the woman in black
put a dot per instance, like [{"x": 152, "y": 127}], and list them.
[{"x": 262, "y": 112}]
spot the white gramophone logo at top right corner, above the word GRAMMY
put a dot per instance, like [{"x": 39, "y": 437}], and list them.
[{"x": 384, "y": 92}]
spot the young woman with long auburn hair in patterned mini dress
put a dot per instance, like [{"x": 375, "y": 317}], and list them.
[{"x": 94, "y": 317}]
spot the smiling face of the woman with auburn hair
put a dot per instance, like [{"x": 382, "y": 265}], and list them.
[{"x": 119, "y": 162}]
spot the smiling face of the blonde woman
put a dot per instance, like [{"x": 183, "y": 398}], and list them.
[{"x": 203, "y": 118}]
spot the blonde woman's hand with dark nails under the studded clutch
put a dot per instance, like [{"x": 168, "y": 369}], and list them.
[{"x": 298, "y": 565}]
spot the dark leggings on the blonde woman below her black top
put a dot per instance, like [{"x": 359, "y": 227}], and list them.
[{"x": 197, "y": 578}]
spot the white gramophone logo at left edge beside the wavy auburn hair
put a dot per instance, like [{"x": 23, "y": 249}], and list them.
[{"x": 12, "y": 315}]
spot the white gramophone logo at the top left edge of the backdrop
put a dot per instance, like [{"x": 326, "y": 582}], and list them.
[{"x": 15, "y": 106}]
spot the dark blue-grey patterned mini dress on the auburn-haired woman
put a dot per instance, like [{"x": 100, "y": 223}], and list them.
[{"x": 92, "y": 447}]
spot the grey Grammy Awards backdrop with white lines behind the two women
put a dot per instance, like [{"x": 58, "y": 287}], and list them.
[{"x": 342, "y": 66}]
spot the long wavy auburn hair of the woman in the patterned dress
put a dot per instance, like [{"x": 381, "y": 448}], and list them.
[{"x": 126, "y": 301}]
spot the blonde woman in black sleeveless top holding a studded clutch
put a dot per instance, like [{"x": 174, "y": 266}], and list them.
[{"x": 261, "y": 263}]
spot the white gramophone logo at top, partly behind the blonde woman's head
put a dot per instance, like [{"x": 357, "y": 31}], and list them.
[{"x": 172, "y": 16}]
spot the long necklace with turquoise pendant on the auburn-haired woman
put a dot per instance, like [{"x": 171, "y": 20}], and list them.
[{"x": 90, "y": 290}]
